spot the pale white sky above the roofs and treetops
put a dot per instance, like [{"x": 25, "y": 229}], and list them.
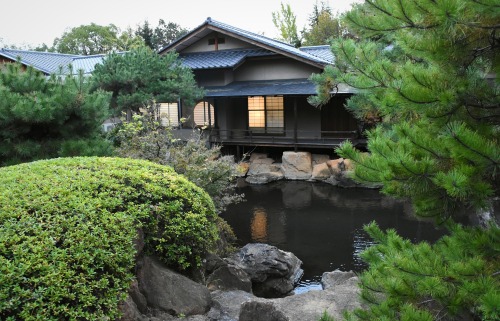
[{"x": 33, "y": 22}]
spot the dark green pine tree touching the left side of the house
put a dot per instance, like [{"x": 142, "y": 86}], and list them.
[{"x": 137, "y": 77}]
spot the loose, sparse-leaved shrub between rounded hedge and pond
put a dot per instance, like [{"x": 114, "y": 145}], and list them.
[{"x": 145, "y": 138}]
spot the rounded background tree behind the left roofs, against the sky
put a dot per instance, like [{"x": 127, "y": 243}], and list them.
[{"x": 95, "y": 39}]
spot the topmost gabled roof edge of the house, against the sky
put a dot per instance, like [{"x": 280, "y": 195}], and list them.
[{"x": 256, "y": 39}]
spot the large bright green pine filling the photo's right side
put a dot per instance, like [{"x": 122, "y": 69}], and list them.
[{"x": 426, "y": 70}]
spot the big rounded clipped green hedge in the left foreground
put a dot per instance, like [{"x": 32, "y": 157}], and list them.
[{"x": 67, "y": 230}]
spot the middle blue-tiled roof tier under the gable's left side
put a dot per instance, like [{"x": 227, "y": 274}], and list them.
[{"x": 221, "y": 59}]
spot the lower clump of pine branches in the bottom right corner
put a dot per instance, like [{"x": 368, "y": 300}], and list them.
[{"x": 455, "y": 278}]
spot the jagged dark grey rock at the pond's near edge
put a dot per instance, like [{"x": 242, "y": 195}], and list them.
[{"x": 265, "y": 263}]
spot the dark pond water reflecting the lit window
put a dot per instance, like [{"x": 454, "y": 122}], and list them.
[{"x": 321, "y": 224}]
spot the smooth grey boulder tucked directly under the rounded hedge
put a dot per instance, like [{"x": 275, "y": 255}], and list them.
[{"x": 170, "y": 292}]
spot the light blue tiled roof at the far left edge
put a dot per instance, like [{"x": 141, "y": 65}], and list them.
[{"x": 47, "y": 62}]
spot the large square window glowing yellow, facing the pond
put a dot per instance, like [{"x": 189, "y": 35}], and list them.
[{"x": 265, "y": 114}]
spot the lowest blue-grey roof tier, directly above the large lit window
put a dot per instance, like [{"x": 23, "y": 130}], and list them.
[{"x": 263, "y": 88}]
